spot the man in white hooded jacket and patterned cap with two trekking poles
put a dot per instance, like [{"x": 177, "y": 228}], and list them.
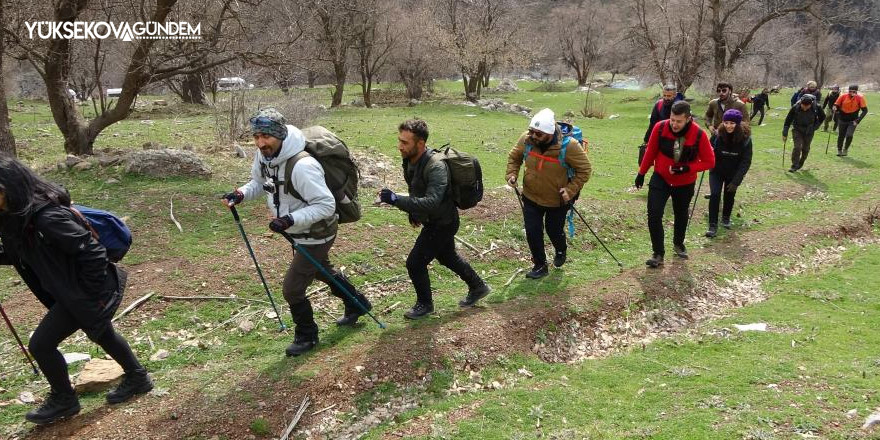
[{"x": 309, "y": 216}]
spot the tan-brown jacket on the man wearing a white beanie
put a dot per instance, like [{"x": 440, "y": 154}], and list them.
[{"x": 543, "y": 178}]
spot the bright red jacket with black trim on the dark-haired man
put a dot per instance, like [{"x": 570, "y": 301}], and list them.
[{"x": 696, "y": 153}]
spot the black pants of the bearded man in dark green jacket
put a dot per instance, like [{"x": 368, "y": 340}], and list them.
[{"x": 437, "y": 241}]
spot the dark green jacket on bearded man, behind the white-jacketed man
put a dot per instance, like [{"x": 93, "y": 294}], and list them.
[{"x": 428, "y": 200}]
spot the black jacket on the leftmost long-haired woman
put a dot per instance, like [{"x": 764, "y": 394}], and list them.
[{"x": 62, "y": 263}]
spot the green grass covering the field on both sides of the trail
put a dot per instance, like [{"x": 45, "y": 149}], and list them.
[{"x": 601, "y": 399}]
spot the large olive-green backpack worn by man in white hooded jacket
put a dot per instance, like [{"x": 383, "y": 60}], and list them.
[{"x": 340, "y": 171}]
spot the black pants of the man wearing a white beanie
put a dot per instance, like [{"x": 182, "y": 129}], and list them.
[{"x": 536, "y": 219}]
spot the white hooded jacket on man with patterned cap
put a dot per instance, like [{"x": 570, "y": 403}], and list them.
[{"x": 308, "y": 181}]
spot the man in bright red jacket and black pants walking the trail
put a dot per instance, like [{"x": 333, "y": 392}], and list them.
[{"x": 678, "y": 149}]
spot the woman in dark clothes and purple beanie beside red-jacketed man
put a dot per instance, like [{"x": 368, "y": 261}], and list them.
[{"x": 733, "y": 157}]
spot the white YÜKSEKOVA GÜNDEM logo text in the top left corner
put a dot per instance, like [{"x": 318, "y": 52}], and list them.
[{"x": 100, "y": 30}]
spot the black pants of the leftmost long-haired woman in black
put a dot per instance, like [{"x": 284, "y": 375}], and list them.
[{"x": 55, "y": 327}]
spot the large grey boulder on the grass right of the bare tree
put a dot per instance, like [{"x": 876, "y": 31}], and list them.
[{"x": 166, "y": 163}]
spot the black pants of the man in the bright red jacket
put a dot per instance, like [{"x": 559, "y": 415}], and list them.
[{"x": 658, "y": 193}]
